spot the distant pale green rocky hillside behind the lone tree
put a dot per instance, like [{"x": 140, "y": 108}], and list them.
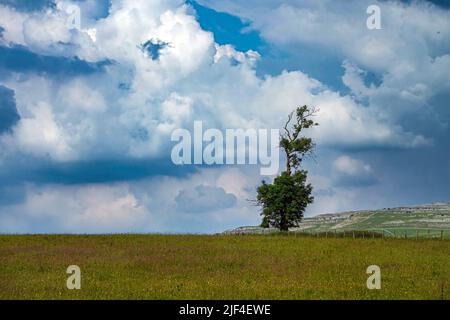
[{"x": 392, "y": 220}]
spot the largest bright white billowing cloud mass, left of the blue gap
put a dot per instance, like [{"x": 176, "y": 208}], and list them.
[{"x": 193, "y": 79}]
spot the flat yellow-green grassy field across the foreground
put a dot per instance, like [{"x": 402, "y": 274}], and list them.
[{"x": 221, "y": 267}]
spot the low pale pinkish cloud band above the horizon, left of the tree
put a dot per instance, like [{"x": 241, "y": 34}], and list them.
[{"x": 158, "y": 204}]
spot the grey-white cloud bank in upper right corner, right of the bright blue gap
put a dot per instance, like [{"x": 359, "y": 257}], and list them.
[{"x": 408, "y": 55}]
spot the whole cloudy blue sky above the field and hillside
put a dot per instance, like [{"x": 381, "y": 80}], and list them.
[{"x": 88, "y": 105}]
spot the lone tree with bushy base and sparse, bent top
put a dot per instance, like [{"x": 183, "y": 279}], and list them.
[{"x": 284, "y": 201}]
